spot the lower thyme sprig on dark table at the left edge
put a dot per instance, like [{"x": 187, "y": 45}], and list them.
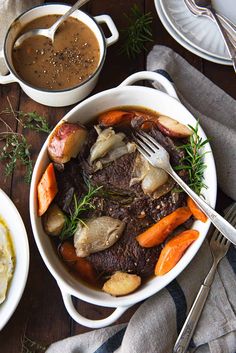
[{"x": 16, "y": 149}]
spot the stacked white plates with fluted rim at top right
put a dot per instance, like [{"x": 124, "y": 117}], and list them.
[{"x": 197, "y": 34}]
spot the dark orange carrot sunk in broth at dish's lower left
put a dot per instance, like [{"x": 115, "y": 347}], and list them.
[{"x": 80, "y": 265}]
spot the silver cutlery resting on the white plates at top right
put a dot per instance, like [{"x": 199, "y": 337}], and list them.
[{"x": 205, "y": 8}]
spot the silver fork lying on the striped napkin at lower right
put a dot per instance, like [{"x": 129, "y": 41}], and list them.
[{"x": 219, "y": 246}]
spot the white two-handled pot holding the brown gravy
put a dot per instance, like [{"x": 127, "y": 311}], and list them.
[{"x": 64, "y": 97}]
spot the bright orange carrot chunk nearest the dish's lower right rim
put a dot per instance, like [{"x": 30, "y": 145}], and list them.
[{"x": 174, "y": 250}]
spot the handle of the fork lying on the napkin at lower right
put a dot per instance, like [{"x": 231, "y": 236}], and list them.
[{"x": 191, "y": 321}]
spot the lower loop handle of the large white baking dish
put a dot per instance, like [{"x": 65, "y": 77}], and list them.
[{"x": 89, "y": 322}]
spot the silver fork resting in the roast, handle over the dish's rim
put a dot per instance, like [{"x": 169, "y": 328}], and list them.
[{"x": 159, "y": 157}]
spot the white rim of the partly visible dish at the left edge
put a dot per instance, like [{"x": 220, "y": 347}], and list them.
[{"x": 19, "y": 238}]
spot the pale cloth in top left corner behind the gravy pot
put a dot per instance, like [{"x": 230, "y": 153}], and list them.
[{"x": 9, "y": 10}]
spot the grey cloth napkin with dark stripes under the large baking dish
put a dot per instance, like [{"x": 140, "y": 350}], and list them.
[{"x": 155, "y": 325}]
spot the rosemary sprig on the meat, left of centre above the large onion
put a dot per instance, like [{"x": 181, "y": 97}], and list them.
[{"x": 80, "y": 206}]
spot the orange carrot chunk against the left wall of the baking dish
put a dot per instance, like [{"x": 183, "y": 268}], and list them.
[{"x": 47, "y": 189}]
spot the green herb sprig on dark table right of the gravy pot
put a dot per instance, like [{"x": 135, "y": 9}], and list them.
[{"x": 138, "y": 32}]
